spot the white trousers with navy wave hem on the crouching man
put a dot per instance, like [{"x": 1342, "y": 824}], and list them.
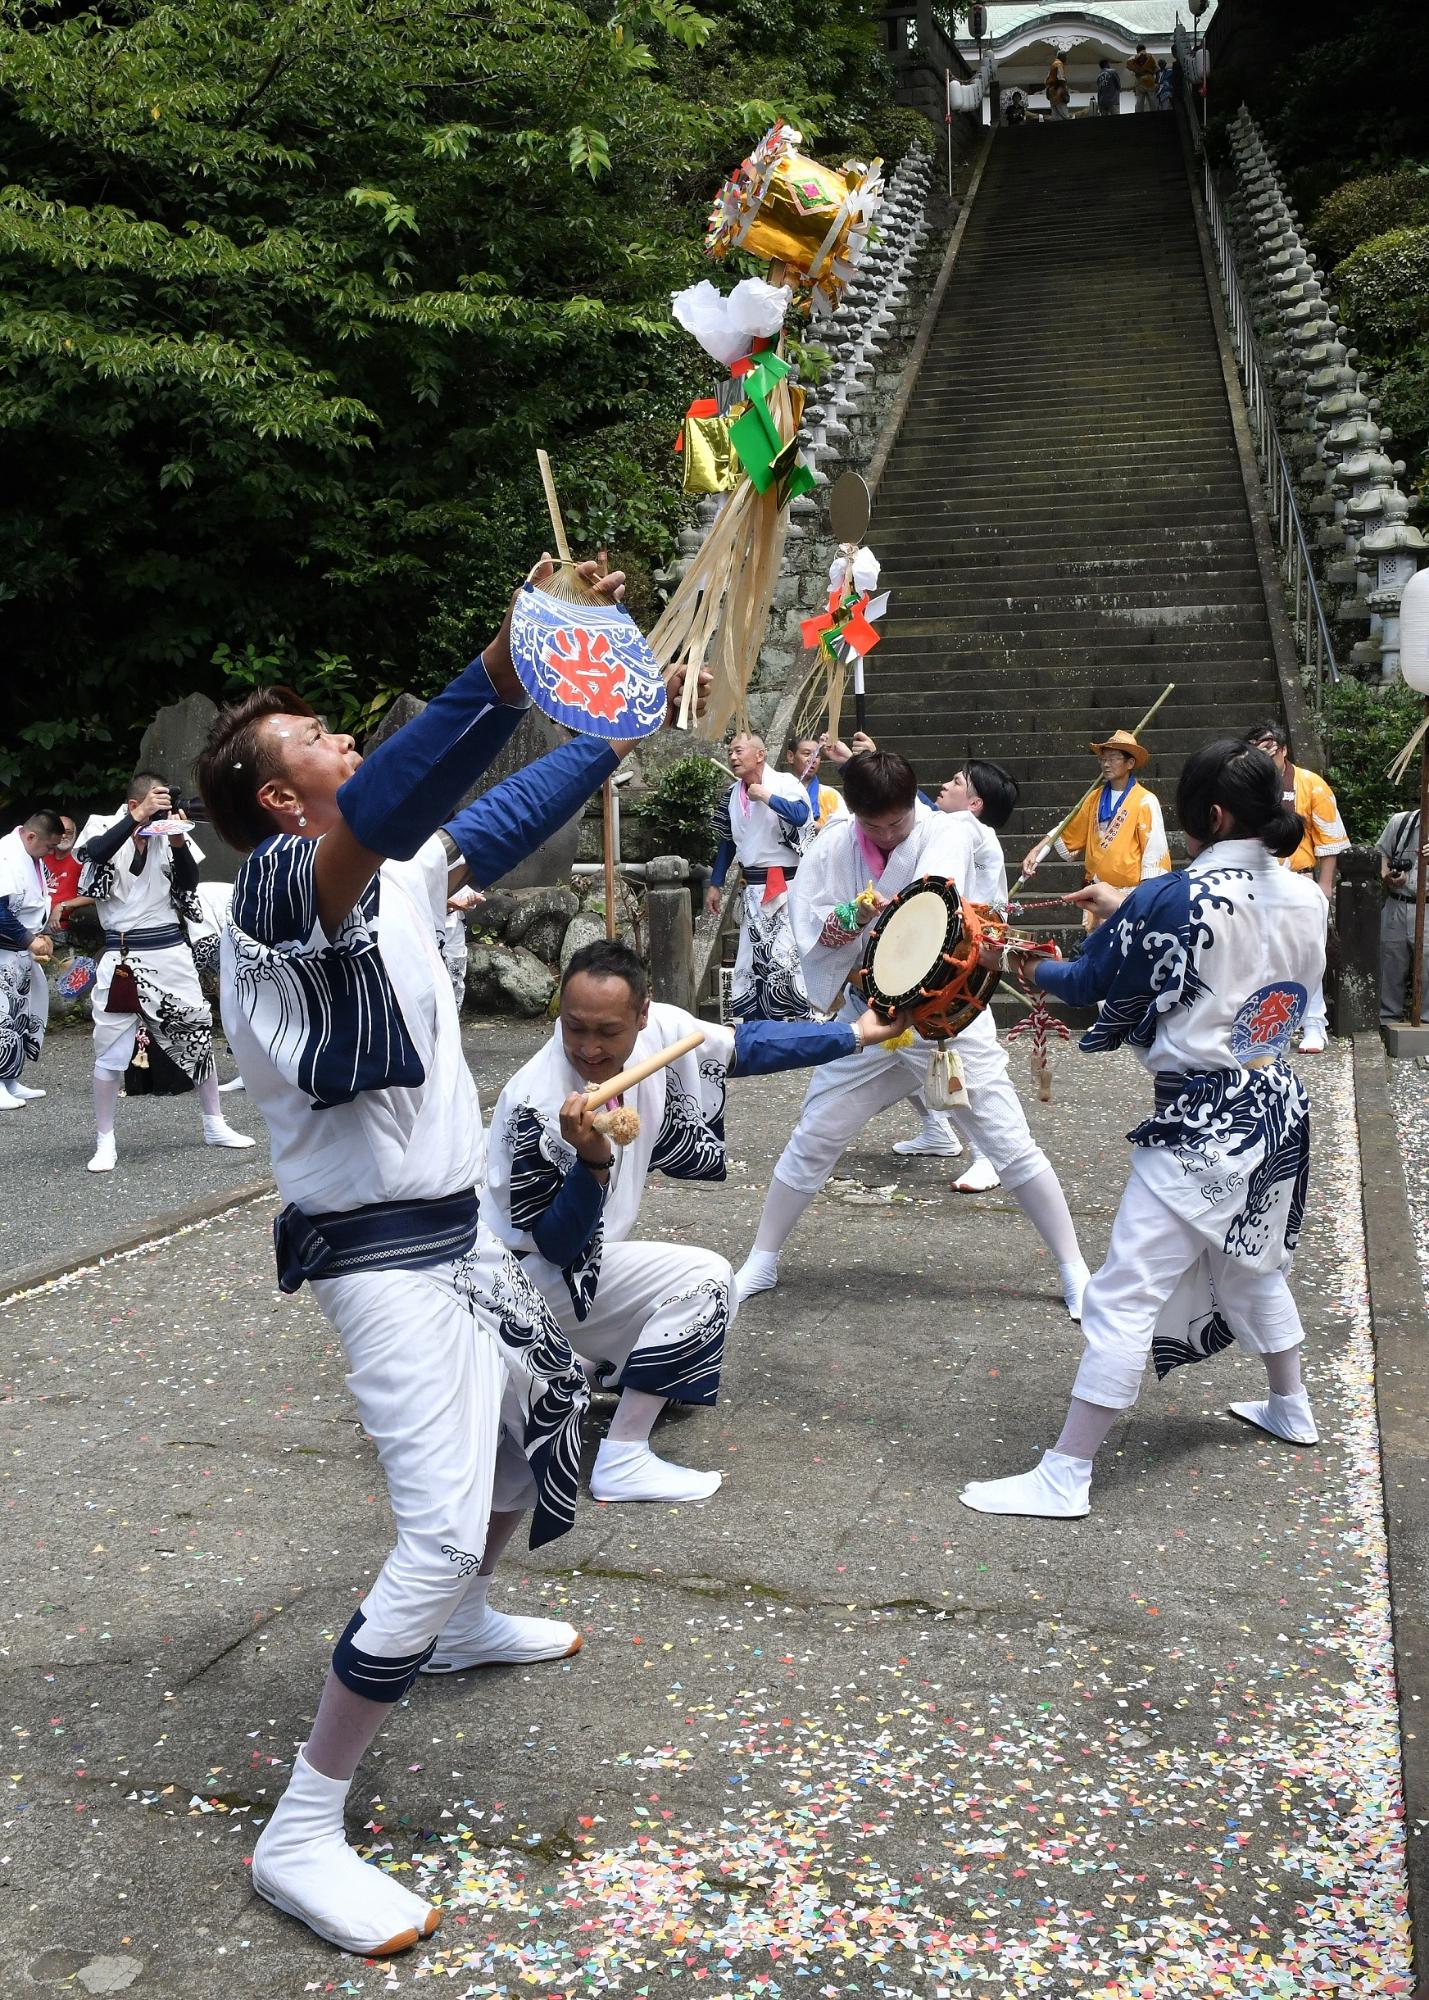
[{"x": 657, "y": 1321}]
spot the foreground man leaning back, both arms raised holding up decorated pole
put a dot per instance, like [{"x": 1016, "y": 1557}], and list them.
[{"x": 345, "y": 1025}]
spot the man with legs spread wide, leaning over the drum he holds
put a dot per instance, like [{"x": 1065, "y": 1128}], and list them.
[{"x": 890, "y": 843}]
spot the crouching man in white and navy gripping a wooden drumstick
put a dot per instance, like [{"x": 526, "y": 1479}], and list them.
[{"x": 565, "y": 1183}]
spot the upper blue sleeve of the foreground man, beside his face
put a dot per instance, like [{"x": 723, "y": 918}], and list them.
[{"x": 405, "y": 789}]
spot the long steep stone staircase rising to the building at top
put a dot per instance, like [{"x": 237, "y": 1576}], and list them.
[{"x": 1064, "y": 521}]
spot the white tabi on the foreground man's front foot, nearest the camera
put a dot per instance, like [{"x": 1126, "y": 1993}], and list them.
[{"x": 305, "y": 1867}]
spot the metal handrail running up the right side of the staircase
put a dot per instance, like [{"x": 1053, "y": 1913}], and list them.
[{"x": 1298, "y": 573}]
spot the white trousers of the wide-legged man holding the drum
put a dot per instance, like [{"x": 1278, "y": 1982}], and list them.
[{"x": 846, "y": 1095}]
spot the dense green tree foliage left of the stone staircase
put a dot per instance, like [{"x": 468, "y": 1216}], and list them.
[{"x": 289, "y": 297}]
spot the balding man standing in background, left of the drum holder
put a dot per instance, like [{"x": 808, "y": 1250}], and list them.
[{"x": 764, "y": 825}]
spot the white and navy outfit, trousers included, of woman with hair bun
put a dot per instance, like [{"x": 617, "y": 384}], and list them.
[{"x": 1206, "y": 975}]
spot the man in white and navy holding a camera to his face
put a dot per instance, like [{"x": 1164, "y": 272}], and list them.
[{"x": 141, "y": 867}]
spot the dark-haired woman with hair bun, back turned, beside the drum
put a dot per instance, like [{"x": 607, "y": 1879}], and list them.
[{"x": 1208, "y": 975}]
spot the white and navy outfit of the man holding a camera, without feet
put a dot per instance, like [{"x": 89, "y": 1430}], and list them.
[{"x": 173, "y": 1003}]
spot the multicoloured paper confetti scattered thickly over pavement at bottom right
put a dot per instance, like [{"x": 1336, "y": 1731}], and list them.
[{"x": 1028, "y": 1817}]
